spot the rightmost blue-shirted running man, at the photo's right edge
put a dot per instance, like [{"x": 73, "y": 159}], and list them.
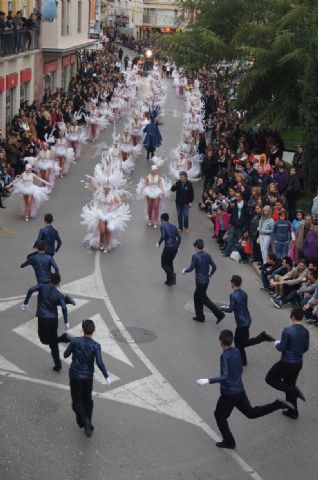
[{"x": 283, "y": 375}]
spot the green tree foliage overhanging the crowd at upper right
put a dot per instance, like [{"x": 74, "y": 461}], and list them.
[{"x": 274, "y": 46}]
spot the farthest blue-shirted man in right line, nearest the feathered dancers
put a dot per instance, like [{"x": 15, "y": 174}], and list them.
[{"x": 171, "y": 238}]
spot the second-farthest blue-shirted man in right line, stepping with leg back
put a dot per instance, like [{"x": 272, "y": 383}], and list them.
[{"x": 201, "y": 263}]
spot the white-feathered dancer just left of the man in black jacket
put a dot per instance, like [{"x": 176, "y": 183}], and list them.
[{"x": 153, "y": 188}]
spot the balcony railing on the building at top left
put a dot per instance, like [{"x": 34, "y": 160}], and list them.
[{"x": 13, "y": 42}]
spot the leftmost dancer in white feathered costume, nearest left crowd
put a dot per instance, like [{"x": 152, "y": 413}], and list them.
[{"x": 33, "y": 195}]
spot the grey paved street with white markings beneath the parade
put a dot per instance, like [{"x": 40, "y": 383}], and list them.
[{"x": 153, "y": 422}]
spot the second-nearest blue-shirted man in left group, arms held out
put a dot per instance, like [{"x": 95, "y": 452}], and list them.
[{"x": 49, "y": 298}]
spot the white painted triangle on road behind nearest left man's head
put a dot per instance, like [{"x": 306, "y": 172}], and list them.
[{"x": 103, "y": 336}]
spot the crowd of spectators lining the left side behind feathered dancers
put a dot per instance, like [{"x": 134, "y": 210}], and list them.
[{"x": 96, "y": 78}]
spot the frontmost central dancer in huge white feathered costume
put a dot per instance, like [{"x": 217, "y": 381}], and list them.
[{"x": 103, "y": 218}]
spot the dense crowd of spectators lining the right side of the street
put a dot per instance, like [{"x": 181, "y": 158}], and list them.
[{"x": 251, "y": 197}]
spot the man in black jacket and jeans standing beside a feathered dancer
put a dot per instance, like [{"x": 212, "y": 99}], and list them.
[{"x": 184, "y": 198}]
